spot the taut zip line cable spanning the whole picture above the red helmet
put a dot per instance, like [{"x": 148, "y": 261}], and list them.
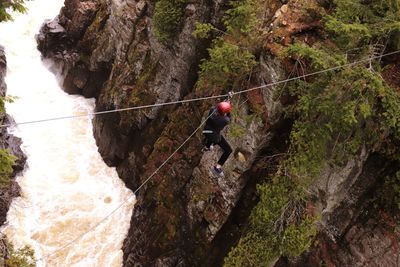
[{"x": 202, "y": 98}]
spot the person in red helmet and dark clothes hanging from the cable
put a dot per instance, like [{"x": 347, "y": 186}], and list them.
[{"x": 219, "y": 117}]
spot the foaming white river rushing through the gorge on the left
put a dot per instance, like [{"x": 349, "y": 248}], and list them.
[{"x": 66, "y": 187}]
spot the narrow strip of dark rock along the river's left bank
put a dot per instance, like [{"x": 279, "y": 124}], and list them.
[{"x": 12, "y": 144}]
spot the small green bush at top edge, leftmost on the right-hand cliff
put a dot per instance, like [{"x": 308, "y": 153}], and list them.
[{"x": 168, "y": 15}]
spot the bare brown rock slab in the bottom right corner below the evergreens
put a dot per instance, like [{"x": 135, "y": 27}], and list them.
[{"x": 355, "y": 232}]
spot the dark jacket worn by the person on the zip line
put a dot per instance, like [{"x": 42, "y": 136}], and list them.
[{"x": 215, "y": 124}]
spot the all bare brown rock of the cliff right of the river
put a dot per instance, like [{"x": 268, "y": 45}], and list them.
[{"x": 107, "y": 50}]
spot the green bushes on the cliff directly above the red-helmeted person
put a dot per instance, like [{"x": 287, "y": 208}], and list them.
[{"x": 230, "y": 57}]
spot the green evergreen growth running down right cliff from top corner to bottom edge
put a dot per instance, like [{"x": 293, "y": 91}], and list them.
[{"x": 366, "y": 118}]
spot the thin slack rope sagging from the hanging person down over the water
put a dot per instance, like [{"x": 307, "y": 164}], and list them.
[{"x": 134, "y": 192}]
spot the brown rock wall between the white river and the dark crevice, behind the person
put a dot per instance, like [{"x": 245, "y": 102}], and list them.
[{"x": 182, "y": 206}]
